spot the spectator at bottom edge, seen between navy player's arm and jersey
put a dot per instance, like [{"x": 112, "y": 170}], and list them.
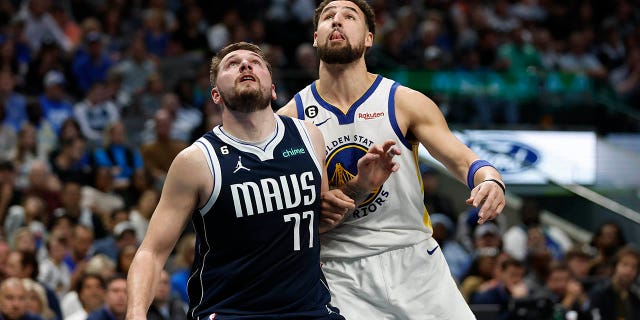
[{"x": 164, "y": 305}]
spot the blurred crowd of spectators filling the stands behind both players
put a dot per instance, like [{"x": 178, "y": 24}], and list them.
[{"x": 98, "y": 96}]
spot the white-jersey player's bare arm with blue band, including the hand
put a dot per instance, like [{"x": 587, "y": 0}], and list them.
[{"x": 421, "y": 118}]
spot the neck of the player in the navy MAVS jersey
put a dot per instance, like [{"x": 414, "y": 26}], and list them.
[{"x": 250, "y": 127}]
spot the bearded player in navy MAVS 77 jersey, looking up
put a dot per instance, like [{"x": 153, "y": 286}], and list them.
[{"x": 252, "y": 189}]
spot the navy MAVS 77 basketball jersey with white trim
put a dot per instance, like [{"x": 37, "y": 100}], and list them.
[{"x": 257, "y": 247}]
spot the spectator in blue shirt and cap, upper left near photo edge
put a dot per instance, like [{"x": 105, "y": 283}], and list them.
[{"x": 54, "y": 101}]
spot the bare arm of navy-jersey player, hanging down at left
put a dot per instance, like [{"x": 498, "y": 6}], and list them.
[{"x": 179, "y": 199}]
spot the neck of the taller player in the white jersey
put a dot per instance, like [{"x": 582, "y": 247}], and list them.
[{"x": 343, "y": 84}]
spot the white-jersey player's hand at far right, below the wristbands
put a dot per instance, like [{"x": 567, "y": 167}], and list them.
[{"x": 490, "y": 198}]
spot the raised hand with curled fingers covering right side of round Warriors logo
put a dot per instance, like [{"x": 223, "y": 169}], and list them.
[{"x": 375, "y": 167}]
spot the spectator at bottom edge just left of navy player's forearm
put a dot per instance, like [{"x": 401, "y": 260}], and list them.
[{"x": 115, "y": 300}]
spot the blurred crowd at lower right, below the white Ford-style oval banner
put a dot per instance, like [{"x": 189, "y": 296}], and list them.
[{"x": 533, "y": 270}]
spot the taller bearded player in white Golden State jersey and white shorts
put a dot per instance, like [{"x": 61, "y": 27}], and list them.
[{"x": 380, "y": 260}]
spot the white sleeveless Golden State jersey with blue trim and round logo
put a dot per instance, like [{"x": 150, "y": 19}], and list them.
[{"x": 392, "y": 216}]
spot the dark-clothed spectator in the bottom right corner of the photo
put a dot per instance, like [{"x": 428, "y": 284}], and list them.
[{"x": 616, "y": 298}]
